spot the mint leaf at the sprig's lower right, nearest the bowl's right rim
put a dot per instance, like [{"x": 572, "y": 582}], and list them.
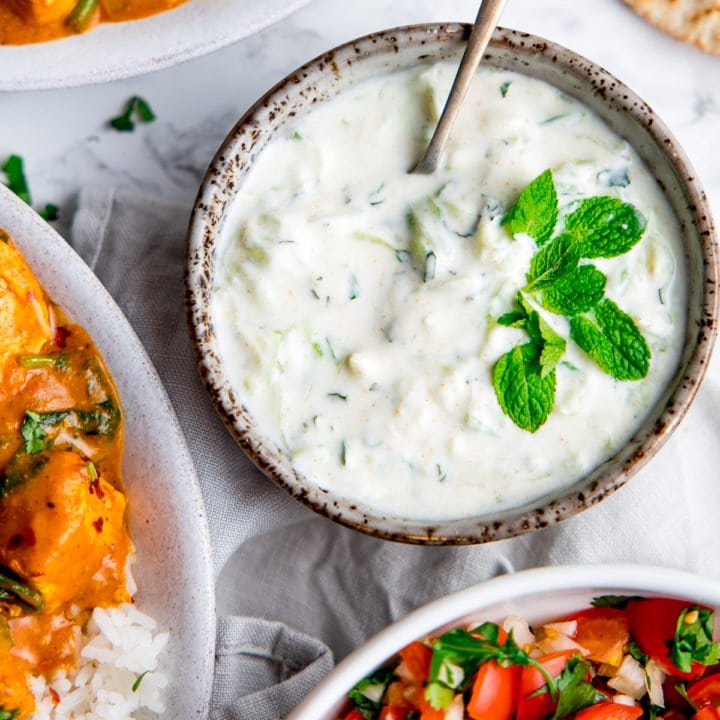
[{"x": 615, "y": 343}]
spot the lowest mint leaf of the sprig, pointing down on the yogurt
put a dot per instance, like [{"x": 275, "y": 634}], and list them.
[{"x": 525, "y": 396}]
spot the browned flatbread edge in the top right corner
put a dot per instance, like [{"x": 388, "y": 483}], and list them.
[{"x": 695, "y": 21}]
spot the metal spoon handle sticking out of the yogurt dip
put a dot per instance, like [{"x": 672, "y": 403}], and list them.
[{"x": 485, "y": 23}]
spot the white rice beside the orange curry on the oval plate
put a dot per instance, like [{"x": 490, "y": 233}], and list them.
[{"x": 117, "y": 647}]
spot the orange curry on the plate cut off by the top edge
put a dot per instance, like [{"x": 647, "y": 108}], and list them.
[{"x": 29, "y": 21}]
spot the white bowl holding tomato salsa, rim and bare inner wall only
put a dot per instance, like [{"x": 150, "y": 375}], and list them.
[{"x": 537, "y": 595}]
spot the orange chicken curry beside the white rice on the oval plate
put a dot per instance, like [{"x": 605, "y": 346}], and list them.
[{"x": 63, "y": 534}]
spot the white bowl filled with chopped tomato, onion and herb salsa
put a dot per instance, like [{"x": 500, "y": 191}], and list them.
[{"x": 602, "y": 642}]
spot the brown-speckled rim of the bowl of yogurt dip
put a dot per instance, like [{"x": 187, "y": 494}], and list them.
[{"x": 206, "y": 221}]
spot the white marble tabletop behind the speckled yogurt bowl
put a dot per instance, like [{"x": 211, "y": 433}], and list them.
[{"x": 64, "y": 137}]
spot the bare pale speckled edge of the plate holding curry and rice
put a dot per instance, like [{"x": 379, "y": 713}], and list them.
[{"x": 163, "y": 472}]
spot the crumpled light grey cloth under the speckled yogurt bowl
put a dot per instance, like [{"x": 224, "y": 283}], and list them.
[{"x": 295, "y": 590}]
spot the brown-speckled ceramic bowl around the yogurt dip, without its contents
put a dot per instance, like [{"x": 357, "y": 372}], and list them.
[{"x": 320, "y": 80}]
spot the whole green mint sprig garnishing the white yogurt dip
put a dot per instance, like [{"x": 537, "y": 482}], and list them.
[{"x": 558, "y": 282}]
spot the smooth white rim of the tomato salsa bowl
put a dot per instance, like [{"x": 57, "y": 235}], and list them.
[{"x": 450, "y": 609}]
